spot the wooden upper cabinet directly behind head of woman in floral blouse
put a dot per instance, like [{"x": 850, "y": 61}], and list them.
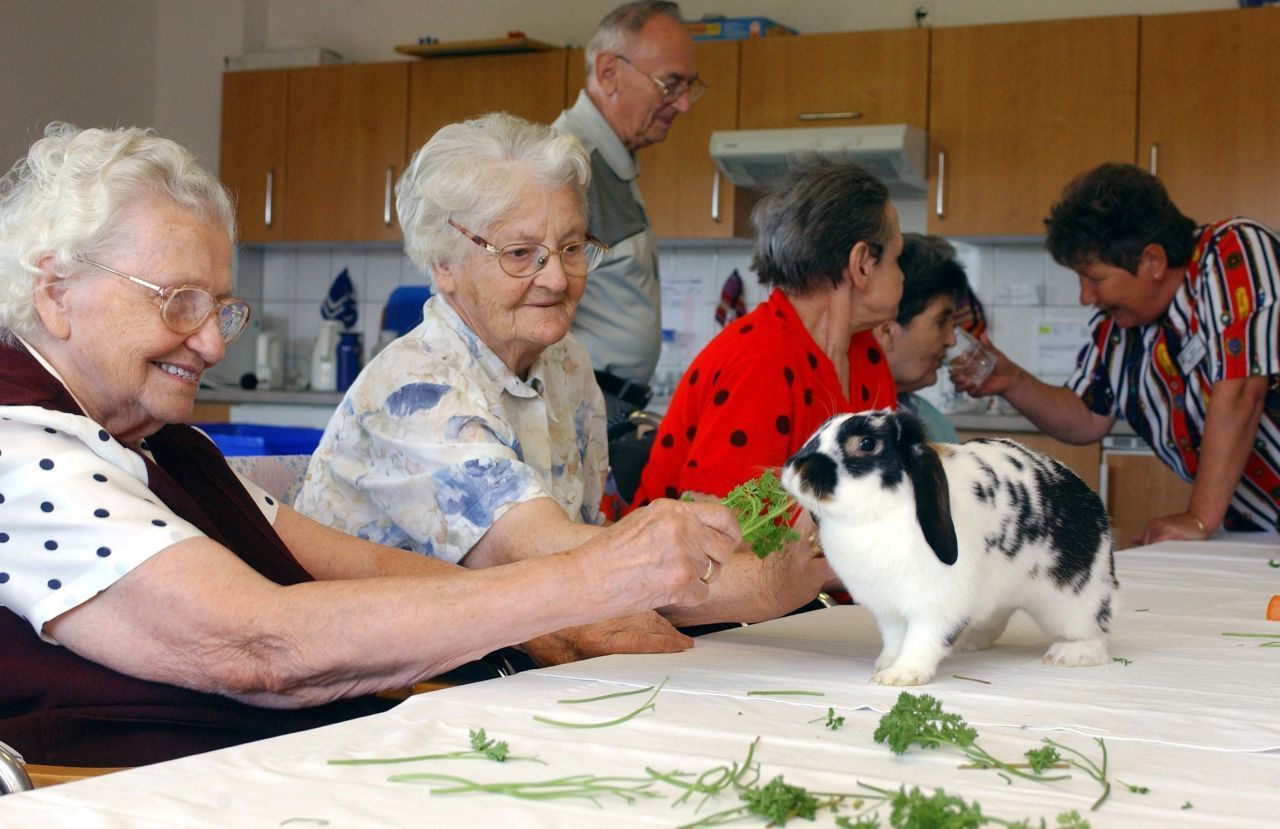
[{"x": 447, "y": 90}]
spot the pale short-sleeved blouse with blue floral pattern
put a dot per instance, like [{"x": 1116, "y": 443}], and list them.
[{"x": 437, "y": 439}]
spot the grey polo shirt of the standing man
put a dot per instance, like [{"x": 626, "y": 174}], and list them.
[{"x": 620, "y": 315}]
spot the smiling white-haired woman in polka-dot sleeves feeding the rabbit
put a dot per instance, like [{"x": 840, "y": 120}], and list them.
[{"x": 152, "y": 603}]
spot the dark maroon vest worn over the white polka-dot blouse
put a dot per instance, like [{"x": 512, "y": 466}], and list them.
[{"x": 58, "y": 708}]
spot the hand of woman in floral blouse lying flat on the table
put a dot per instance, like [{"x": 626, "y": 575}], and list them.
[{"x": 641, "y": 634}]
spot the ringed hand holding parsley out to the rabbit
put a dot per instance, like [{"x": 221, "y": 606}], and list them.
[{"x": 664, "y": 555}]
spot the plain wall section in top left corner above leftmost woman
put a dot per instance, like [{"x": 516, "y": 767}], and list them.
[{"x": 86, "y": 62}]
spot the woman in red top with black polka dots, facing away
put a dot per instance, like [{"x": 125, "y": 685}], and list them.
[{"x": 828, "y": 241}]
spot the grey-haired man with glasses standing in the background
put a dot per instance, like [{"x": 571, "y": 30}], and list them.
[{"x": 641, "y": 75}]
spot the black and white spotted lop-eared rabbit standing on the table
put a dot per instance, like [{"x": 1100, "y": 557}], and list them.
[{"x": 941, "y": 543}]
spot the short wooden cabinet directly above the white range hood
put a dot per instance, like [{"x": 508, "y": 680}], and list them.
[{"x": 835, "y": 80}]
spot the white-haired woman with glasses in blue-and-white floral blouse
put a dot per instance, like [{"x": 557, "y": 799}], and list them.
[{"x": 479, "y": 437}]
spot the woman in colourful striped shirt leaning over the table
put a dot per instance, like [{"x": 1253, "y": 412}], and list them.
[{"x": 1186, "y": 347}]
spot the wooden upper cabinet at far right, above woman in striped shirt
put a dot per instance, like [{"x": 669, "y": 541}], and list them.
[{"x": 1210, "y": 112}]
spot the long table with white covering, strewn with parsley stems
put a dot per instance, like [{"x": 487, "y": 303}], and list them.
[{"x": 1191, "y": 715}]
